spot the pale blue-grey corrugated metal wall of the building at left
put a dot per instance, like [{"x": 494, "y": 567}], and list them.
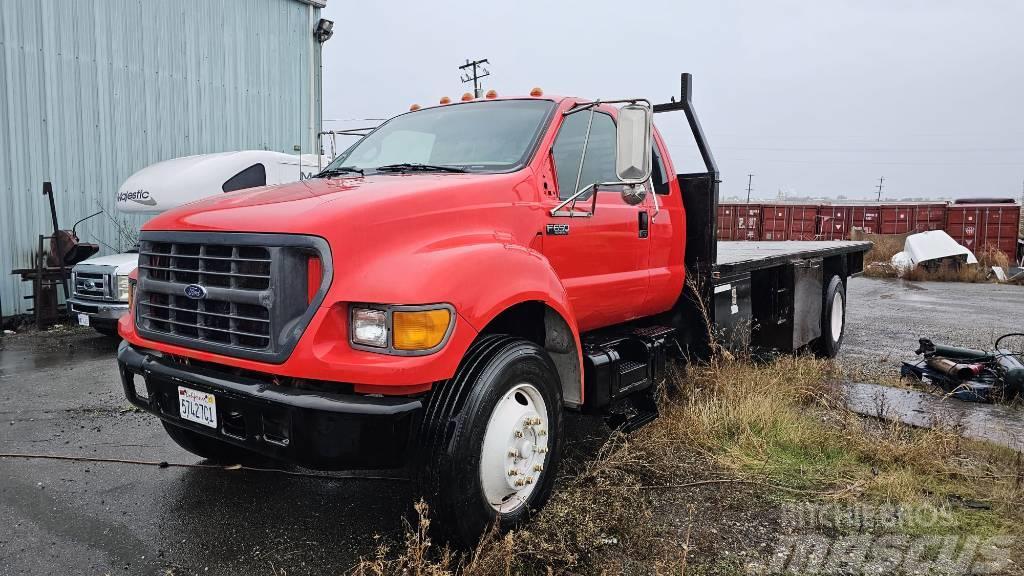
[{"x": 93, "y": 92}]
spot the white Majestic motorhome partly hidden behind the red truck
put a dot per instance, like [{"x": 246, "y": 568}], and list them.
[{"x": 101, "y": 285}]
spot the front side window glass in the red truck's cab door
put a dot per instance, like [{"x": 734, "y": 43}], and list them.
[{"x": 600, "y": 167}]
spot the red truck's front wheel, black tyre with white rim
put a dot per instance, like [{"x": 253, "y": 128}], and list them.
[{"x": 492, "y": 438}]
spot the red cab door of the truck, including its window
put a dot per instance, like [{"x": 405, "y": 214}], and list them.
[{"x": 603, "y": 260}]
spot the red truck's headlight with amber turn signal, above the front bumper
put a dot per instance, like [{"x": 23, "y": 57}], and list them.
[{"x": 402, "y": 331}]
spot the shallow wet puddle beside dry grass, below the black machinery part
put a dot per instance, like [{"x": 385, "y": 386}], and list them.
[{"x": 993, "y": 423}]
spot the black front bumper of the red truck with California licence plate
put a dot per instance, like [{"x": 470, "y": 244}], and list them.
[{"x": 315, "y": 430}]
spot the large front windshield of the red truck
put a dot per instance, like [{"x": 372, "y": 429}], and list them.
[{"x": 481, "y": 137}]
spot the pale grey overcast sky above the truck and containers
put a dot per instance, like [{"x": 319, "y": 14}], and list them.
[{"x": 816, "y": 98}]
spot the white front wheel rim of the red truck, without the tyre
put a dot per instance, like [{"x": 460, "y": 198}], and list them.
[{"x": 516, "y": 448}]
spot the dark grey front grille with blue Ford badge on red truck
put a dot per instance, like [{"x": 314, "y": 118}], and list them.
[{"x": 246, "y": 296}]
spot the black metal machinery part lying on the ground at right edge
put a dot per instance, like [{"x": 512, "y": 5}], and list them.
[{"x": 971, "y": 376}]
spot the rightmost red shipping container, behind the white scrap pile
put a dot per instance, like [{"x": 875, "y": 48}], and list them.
[{"x": 985, "y": 226}]
